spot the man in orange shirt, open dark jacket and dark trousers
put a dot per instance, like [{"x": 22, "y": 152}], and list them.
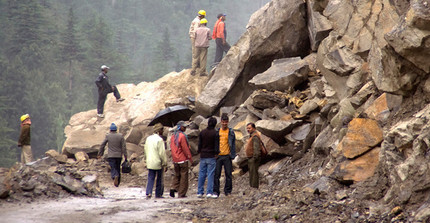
[{"x": 226, "y": 144}]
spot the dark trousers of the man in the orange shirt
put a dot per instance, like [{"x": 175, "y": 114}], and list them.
[{"x": 228, "y": 169}]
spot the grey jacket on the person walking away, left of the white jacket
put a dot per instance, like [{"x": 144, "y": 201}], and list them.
[{"x": 116, "y": 144}]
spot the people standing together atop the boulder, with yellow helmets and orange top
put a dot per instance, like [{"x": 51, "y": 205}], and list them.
[{"x": 200, "y": 36}]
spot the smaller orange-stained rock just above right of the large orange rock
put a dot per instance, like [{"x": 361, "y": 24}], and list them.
[{"x": 382, "y": 107}]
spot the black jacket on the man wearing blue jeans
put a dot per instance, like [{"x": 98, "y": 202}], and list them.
[{"x": 207, "y": 142}]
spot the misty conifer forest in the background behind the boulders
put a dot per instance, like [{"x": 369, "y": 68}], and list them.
[{"x": 51, "y": 52}]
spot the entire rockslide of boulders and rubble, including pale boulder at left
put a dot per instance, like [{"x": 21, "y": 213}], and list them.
[{"x": 339, "y": 91}]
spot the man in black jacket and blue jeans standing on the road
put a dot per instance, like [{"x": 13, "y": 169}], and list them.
[{"x": 208, "y": 151}]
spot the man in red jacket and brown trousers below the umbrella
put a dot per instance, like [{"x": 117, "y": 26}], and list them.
[{"x": 181, "y": 156}]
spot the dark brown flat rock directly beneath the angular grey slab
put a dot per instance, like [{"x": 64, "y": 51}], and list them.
[{"x": 267, "y": 99}]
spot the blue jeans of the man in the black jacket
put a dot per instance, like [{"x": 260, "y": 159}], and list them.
[{"x": 207, "y": 169}]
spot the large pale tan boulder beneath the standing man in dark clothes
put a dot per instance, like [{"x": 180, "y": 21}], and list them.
[{"x": 86, "y": 131}]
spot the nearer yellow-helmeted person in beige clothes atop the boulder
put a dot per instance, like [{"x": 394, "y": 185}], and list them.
[{"x": 202, "y": 37}]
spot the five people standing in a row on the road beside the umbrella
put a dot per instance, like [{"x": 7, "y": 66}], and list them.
[{"x": 217, "y": 150}]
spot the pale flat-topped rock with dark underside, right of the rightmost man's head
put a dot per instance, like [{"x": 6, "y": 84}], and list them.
[{"x": 276, "y": 129}]
